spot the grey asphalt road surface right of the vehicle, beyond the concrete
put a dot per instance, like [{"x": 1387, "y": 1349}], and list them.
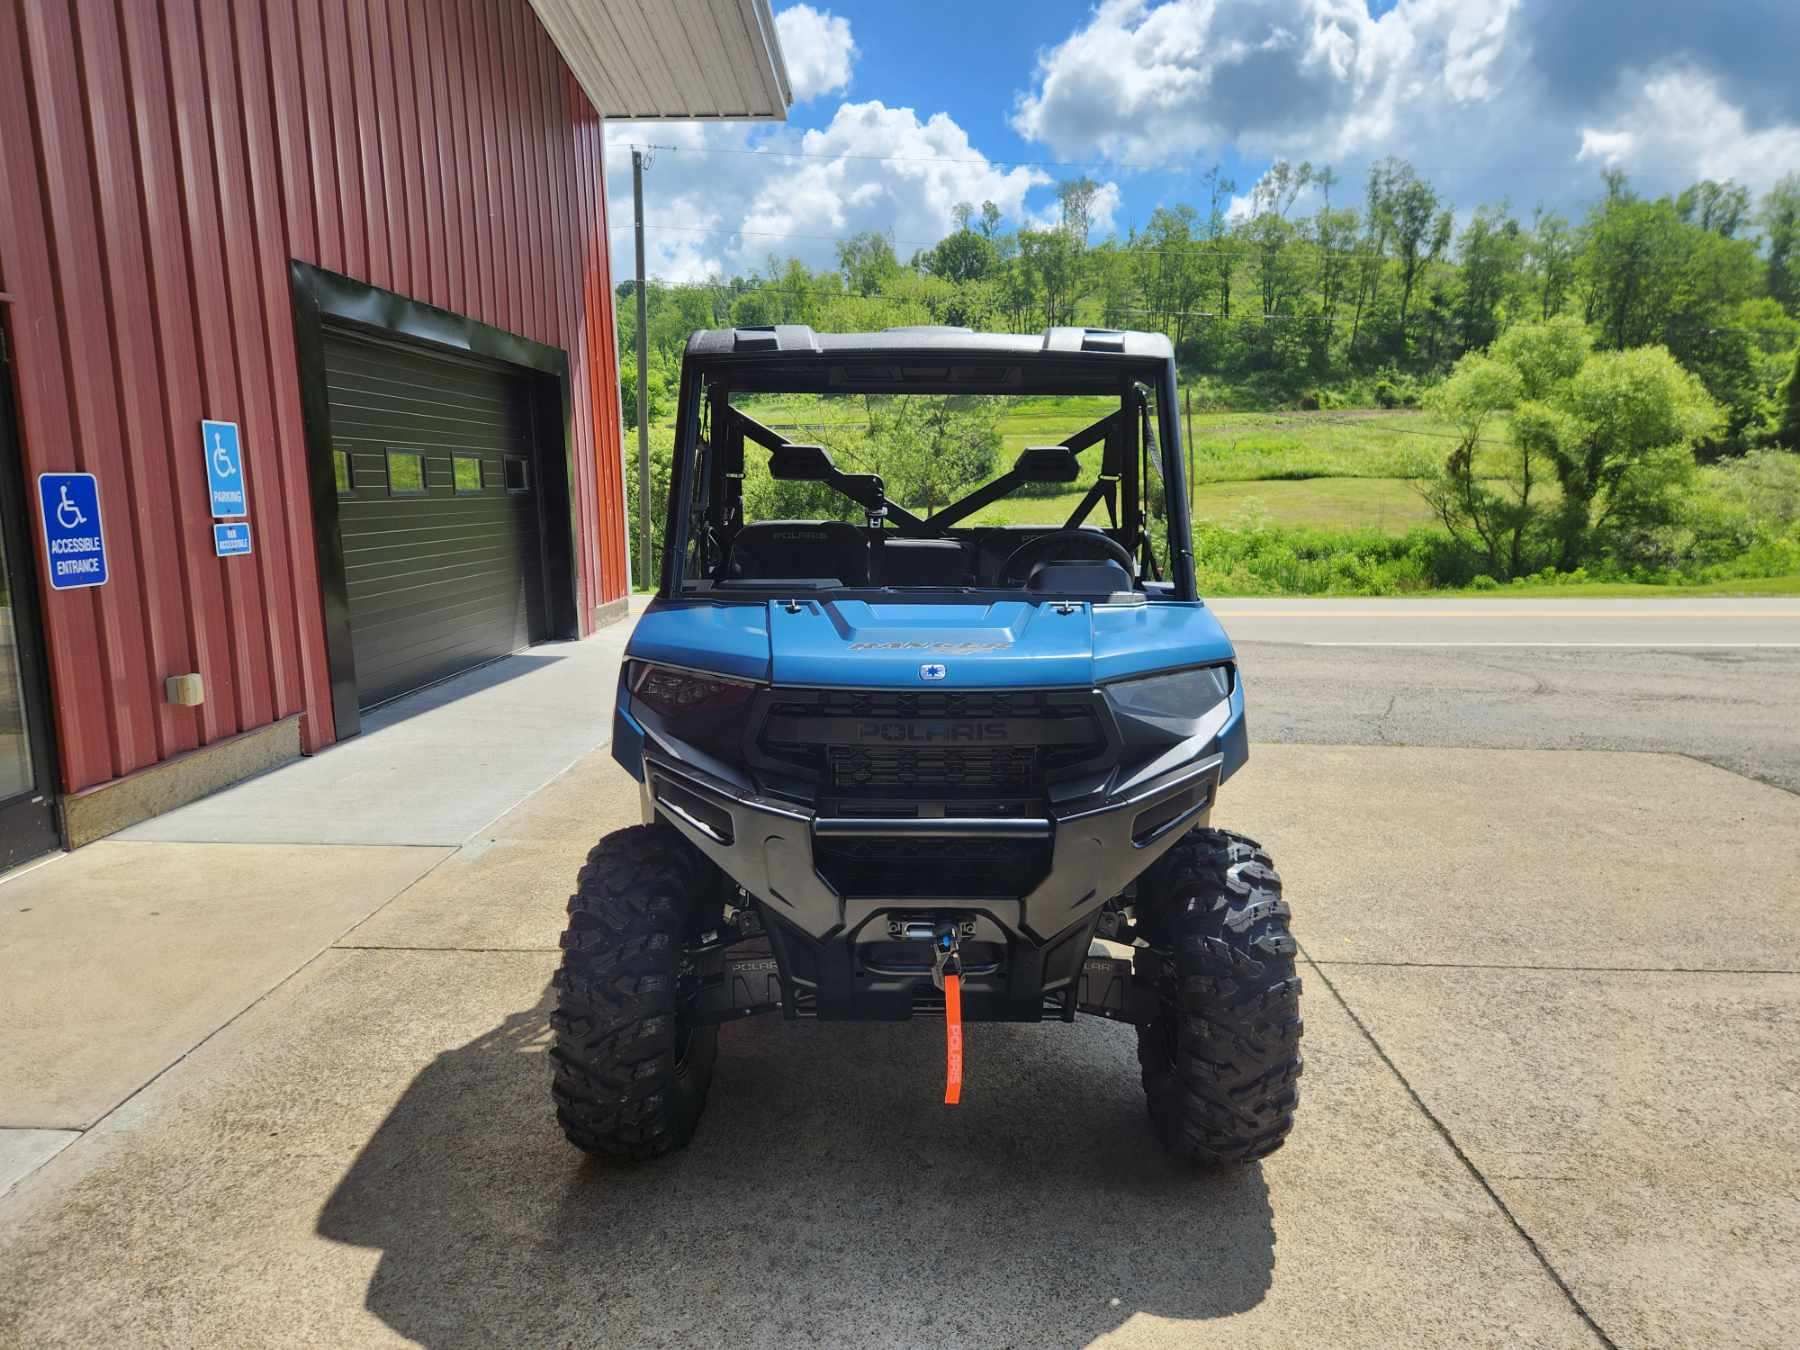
[{"x": 1718, "y": 681}]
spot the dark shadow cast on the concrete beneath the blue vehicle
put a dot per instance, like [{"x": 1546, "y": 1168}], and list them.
[{"x": 827, "y": 1200}]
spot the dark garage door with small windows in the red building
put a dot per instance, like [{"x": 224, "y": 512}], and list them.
[{"x": 438, "y": 512}]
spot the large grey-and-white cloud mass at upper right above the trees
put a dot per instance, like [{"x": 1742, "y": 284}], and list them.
[{"x": 1518, "y": 100}]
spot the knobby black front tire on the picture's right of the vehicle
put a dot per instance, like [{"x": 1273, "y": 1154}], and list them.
[{"x": 1221, "y": 1059}]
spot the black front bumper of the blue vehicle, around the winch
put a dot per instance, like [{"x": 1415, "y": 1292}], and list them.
[{"x": 831, "y": 948}]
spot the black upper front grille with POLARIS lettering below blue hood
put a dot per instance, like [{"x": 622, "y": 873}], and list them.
[{"x": 930, "y": 746}]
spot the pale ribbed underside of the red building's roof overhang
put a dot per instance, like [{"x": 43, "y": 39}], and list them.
[{"x": 685, "y": 60}]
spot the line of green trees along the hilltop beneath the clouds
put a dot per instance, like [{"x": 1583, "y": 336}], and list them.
[{"x": 1300, "y": 283}]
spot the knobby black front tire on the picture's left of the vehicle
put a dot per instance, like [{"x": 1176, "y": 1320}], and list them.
[{"x": 631, "y": 1066}]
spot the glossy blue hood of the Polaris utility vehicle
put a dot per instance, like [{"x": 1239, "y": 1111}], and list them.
[{"x": 1000, "y": 645}]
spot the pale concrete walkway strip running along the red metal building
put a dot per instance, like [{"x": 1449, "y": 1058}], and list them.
[{"x": 121, "y": 958}]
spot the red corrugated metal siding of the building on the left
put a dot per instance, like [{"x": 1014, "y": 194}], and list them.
[{"x": 161, "y": 165}]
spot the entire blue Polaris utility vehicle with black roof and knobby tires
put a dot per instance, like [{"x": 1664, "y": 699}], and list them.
[{"x": 912, "y": 757}]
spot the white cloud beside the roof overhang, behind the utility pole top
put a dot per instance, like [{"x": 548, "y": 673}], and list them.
[{"x": 726, "y": 197}]
